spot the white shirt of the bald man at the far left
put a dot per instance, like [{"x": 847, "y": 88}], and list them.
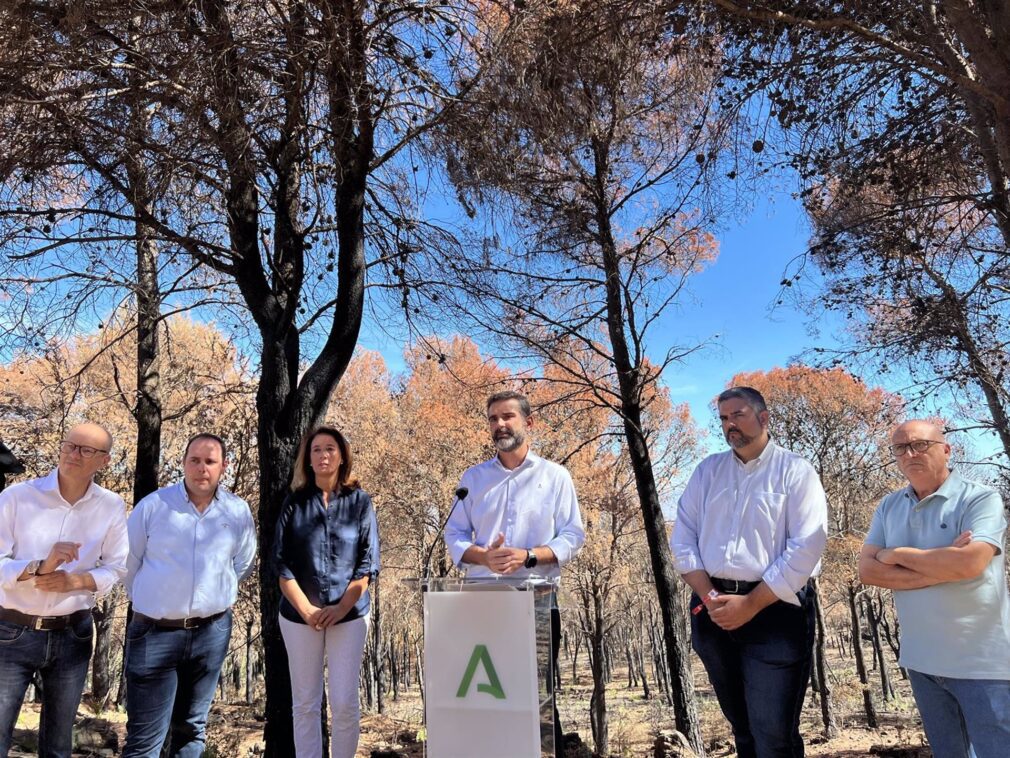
[{"x": 34, "y": 517}]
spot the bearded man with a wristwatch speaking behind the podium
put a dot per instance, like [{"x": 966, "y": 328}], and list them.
[{"x": 521, "y": 517}]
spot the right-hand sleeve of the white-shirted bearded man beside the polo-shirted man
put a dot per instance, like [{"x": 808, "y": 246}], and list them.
[{"x": 806, "y": 517}]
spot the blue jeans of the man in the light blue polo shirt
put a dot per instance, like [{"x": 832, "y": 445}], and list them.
[{"x": 960, "y": 715}]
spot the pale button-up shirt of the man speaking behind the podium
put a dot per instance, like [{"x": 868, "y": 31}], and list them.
[{"x": 533, "y": 505}]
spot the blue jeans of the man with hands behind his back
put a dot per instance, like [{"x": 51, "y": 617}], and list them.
[{"x": 171, "y": 679}]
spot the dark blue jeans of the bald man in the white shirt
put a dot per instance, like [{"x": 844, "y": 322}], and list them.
[{"x": 61, "y": 658}]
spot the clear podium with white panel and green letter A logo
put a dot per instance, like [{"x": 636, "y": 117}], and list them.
[{"x": 488, "y": 667}]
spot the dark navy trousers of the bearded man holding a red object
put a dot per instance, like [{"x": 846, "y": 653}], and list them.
[{"x": 760, "y": 674}]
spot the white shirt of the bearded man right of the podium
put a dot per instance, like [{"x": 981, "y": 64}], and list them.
[{"x": 763, "y": 520}]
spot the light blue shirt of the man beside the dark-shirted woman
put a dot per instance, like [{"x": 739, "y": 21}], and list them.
[{"x": 184, "y": 563}]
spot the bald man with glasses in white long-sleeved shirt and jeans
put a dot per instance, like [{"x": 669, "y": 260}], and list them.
[{"x": 63, "y": 541}]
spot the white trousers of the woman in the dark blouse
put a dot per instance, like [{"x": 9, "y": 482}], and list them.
[{"x": 342, "y": 646}]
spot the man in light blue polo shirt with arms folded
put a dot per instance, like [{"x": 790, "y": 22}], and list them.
[{"x": 939, "y": 545}]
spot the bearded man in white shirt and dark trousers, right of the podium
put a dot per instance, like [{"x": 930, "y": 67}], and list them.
[{"x": 750, "y": 533}]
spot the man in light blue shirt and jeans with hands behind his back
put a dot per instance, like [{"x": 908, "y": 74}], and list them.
[{"x": 190, "y": 546}]
